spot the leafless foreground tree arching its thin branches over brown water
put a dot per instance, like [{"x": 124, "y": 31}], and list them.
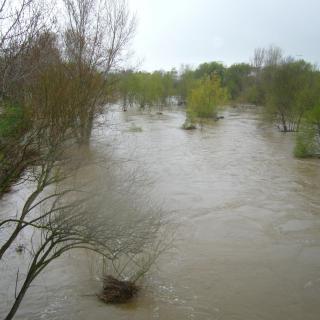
[{"x": 68, "y": 217}]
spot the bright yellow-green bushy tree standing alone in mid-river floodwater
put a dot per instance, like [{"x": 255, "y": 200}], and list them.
[{"x": 204, "y": 100}]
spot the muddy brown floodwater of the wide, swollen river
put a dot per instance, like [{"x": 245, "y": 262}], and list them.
[{"x": 248, "y": 245}]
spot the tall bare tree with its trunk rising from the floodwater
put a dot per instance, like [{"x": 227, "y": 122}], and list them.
[{"x": 96, "y": 37}]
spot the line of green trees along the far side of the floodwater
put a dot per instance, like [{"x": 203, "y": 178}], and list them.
[{"x": 287, "y": 88}]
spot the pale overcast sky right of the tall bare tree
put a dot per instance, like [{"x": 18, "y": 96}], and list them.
[{"x": 173, "y": 32}]
